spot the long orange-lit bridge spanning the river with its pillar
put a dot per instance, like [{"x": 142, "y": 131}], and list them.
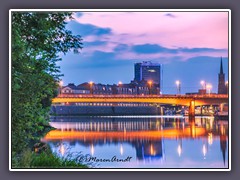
[{"x": 185, "y": 100}]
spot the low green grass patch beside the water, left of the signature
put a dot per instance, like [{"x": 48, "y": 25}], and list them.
[{"x": 45, "y": 159}]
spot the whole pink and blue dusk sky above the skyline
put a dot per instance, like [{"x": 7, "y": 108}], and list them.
[{"x": 189, "y": 45}]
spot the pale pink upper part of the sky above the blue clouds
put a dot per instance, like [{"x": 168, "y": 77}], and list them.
[{"x": 186, "y": 29}]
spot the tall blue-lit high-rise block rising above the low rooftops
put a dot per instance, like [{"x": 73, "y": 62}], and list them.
[{"x": 148, "y": 71}]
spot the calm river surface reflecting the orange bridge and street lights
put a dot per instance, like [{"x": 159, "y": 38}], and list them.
[{"x": 143, "y": 142}]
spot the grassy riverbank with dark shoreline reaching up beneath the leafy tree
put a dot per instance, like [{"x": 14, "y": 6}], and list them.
[{"x": 40, "y": 156}]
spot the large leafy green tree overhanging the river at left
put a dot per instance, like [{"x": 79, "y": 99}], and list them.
[{"x": 37, "y": 40}]
